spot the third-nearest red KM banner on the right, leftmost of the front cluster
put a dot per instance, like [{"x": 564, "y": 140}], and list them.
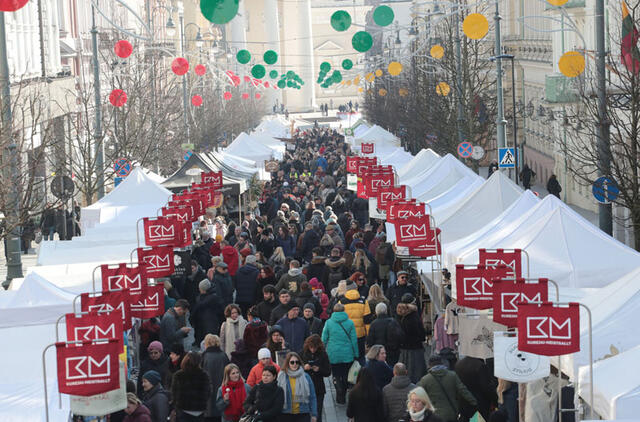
[{"x": 474, "y": 285}]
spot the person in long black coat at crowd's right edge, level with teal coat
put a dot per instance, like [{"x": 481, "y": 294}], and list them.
[{"x": 411, "y": 348}]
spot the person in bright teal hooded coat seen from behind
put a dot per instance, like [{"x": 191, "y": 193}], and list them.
[{"x": 340, "y": 339}]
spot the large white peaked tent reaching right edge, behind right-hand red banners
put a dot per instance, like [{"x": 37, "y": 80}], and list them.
[{"x": 562, "y": 245}]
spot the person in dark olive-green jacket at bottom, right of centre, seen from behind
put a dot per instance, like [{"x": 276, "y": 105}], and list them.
[{"x": 444, "y": 388}]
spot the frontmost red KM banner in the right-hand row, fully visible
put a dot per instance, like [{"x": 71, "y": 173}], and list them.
[{"x": 547, "y": 329}]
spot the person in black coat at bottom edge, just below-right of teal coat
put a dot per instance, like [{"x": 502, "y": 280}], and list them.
[{"x": 365, "y": 399}]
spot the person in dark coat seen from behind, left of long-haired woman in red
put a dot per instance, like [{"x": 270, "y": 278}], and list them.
[{"x": 190, "y": 389}]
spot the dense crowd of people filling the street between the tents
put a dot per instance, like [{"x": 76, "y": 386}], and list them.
[{"x": 304, "y": 288}]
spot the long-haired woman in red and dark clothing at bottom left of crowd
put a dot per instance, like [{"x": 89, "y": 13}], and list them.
[{"x": 232, "y": 394}]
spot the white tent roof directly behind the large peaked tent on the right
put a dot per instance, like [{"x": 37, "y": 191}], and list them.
[{"x": 494, "y": 196}]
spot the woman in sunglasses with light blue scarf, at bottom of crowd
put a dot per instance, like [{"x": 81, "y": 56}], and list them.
[{"x": 300, "y": 402}]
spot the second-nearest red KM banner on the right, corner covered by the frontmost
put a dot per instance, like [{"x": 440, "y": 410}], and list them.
[{"x": 507, "y": 294}]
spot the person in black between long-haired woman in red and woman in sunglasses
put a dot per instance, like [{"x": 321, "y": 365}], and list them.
[{"x": 266, "y": 399}]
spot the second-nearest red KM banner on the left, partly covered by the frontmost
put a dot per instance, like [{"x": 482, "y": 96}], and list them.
[{"x": 95, "y": 326}]
